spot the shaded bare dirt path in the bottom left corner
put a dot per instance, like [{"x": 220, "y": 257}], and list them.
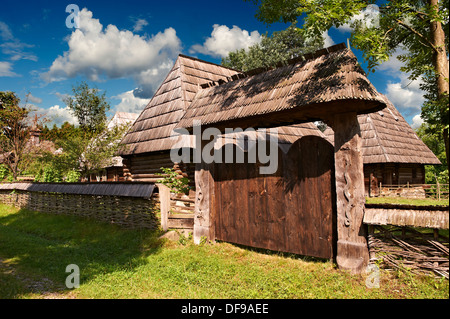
[{"x": 40, "y": 287}]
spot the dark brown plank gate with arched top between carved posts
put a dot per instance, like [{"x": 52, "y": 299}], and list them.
[{"x": 292, "y": 210}]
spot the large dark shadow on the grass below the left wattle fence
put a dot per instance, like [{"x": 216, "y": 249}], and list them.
[{"x": 39, "y": 247}]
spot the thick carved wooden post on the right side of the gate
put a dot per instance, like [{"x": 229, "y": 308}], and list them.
[{"x": 352, "y": 249}]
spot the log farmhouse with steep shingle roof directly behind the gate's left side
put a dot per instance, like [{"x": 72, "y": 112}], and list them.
[{"x": 149, "y": 141}]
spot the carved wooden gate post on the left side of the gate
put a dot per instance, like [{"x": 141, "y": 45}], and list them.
[{"x": 204, "y": 200}]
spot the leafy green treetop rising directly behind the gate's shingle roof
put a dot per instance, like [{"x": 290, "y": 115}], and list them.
[{"x": 280, "y": 47}]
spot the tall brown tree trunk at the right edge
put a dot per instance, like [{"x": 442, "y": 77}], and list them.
[{"x": 440, "y": 64}]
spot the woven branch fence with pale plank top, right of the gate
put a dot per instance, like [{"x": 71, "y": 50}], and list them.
[{"x": 394, "y": 238}]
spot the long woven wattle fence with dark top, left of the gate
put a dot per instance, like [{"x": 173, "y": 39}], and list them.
[{"x": 129, "y": 205}]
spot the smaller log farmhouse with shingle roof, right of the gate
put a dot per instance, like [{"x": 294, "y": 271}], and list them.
[{"x": 393, "y": 154}]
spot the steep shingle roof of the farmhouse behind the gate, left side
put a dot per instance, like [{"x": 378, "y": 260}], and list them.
[{"x": 152, "y": 130}]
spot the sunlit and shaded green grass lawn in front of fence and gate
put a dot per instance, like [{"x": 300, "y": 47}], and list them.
[{"x": 35, "y": 249}]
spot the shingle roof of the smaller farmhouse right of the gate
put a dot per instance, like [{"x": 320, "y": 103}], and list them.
[{"x": 388, "y": 138}]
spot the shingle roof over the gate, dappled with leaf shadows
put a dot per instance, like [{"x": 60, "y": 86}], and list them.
[{"x": 306, "y": 84}]
